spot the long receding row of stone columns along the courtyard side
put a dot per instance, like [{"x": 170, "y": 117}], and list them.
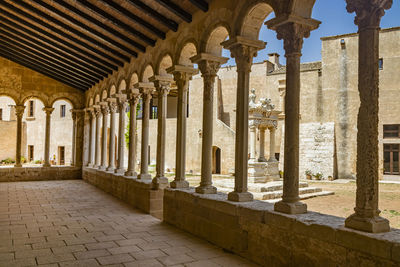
[{"x": 292, "y": 31}]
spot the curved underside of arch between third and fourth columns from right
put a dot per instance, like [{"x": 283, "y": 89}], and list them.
[{"x": 215, "y": 37}]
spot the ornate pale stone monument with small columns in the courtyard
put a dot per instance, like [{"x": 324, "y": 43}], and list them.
[{"x": 262, "y": 117}]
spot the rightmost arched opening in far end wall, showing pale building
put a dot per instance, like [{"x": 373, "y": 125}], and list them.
[{"x": 61, "y": 133}]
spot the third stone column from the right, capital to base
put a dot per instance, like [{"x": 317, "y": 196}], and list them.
[{"x": 243, "y": 50}]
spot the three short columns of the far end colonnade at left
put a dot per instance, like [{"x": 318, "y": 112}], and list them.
[{"x": 77, "y": 127}]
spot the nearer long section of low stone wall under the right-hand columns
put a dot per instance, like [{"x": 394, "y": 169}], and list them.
[{"x": 254, "y": 231}]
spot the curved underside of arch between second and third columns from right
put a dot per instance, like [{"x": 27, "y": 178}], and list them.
[{"x": 254, "y": 15}]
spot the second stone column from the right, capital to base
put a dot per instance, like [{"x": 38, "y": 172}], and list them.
[{"x": 292, "y": 30}]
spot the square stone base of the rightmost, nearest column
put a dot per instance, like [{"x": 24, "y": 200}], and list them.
[{"x": 372, "y": 225}]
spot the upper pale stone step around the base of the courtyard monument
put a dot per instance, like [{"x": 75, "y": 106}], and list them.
[{"x": 256, "y": 187}]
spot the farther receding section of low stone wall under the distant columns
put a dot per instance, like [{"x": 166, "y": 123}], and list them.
[{"x": 136, "y": 193}]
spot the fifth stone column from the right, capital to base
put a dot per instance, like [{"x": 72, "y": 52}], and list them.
[{"x": 182, "y": 75}]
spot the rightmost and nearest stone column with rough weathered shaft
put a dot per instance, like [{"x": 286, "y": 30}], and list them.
[{"x": 366, "y": 216}]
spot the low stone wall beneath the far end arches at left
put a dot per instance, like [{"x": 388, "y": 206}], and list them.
[{"x": 13, "y": 174}]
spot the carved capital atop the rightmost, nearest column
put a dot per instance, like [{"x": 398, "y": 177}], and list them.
[{"x": 368, "y": 12}]
